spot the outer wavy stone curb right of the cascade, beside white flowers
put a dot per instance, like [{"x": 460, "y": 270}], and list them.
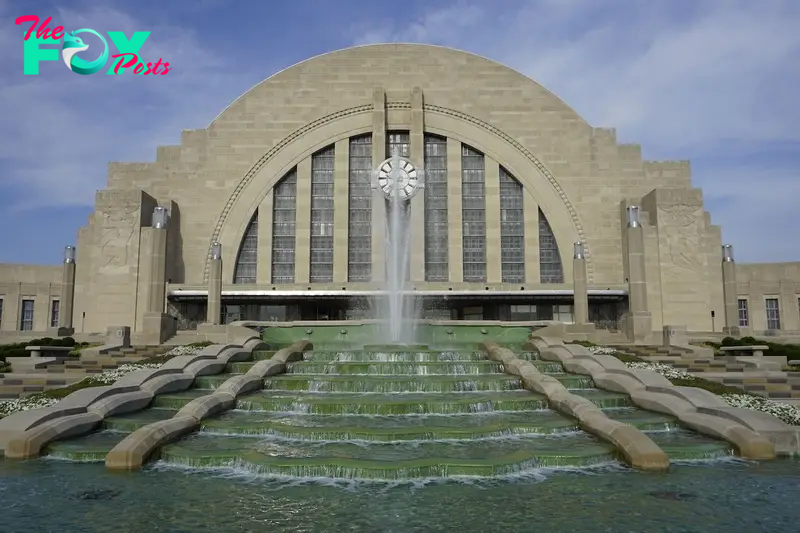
[{"x": 755, "y": 435}]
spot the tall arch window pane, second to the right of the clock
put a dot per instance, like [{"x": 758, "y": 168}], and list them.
[{"x": 473, "y": 214}]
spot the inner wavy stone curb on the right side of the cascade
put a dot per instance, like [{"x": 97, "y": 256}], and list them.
[{"x": 638, "y": 450}]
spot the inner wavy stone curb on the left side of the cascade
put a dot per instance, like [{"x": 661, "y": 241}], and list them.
[{"x": 138, "y": 447}]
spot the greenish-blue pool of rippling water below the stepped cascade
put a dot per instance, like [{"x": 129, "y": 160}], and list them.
[{"x": 721, "y": 497}]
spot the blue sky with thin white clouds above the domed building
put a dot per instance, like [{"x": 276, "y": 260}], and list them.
[{"x": 714, "y": 81}]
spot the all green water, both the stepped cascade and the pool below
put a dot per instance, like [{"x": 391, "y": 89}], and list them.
[{"x": 398, "y": 440}]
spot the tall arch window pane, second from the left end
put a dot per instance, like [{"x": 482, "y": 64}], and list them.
[{"x": 284, "y": 209}]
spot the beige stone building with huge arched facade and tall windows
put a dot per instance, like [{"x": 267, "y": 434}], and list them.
[{"x": 513, "y": 177}]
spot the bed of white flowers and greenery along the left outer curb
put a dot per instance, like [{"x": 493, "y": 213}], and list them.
[{"x": 49, "y": 397}]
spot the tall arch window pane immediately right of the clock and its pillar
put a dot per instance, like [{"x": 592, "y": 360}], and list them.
[{"x": 436, "y": 245}]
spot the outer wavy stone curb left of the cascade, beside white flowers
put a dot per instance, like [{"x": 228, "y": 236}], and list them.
[{"x": 23, "y": 435}]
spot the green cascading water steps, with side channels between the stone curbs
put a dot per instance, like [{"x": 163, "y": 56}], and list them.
[{"x": 394, "y": 413}]
